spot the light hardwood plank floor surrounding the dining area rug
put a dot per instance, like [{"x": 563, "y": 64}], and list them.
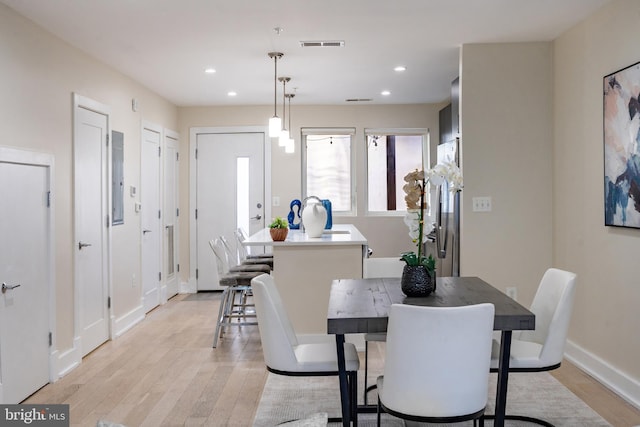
[{"x": 164, "y": 372}]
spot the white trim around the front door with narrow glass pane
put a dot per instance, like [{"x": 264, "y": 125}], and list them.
[{"x": 191, "y": 286}]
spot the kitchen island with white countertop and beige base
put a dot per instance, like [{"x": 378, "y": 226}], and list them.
[{"x": 304, "y": 267}]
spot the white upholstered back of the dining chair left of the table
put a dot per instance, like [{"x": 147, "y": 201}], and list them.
[{"x": 276, "y": 332}]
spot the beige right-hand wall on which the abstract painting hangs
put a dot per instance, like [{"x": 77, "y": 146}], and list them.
[{"x": 604, "y": 331}]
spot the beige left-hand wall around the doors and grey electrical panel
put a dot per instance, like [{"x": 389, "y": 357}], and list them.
[{"x": 38, "y": 76}]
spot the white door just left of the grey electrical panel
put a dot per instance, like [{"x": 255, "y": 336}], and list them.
[{"x": 91, "y": 224}]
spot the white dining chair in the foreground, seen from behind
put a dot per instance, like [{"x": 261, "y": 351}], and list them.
[{"x": 437, "y": 363}]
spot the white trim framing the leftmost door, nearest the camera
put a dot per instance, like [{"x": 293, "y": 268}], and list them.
[{"x": 21, "y": 156}]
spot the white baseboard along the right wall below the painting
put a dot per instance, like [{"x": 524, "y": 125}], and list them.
[{"x": 617, "y": 381}]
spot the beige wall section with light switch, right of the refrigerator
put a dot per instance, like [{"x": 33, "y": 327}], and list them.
[{"x": 506, "y": 125}]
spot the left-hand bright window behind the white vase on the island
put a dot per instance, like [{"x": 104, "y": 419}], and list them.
[{"x": 327, "y": 166}]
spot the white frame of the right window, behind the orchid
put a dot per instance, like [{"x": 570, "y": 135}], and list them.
[{"x": 426, "y": 160}]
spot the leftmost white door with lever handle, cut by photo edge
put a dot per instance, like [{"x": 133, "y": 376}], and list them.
[{"x": 25, "y": 267}]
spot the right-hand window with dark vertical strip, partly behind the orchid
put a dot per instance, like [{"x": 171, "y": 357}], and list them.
[{"x": 391, "y": 154}]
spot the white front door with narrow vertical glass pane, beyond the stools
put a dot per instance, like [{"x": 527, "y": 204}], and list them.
[{"x": 230, "y": 193}]
